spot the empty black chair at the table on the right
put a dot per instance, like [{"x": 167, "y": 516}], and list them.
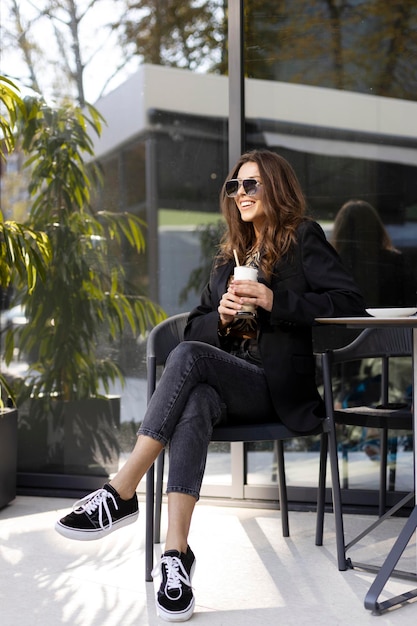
[{"x": 376, "y": 343}]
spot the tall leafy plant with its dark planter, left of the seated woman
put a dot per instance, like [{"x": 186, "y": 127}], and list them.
[{"x": 82, "y": 304}]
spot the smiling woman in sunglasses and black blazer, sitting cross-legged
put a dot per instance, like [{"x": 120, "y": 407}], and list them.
[{"x": 229, "y": 368}]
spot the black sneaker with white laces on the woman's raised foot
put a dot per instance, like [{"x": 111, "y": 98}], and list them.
[{"x": 98, "y": 514}]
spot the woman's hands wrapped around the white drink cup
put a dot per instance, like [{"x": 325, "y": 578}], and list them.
[{"x": 242, "y": 292}]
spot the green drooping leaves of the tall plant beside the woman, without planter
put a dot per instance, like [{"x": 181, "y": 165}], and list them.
[{"x": 82, "y": 302}]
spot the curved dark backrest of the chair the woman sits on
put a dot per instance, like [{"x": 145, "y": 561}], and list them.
[{"x": 161, "y": 341}]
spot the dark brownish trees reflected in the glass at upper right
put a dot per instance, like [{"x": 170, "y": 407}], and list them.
[{"x": 357, "y": 45}]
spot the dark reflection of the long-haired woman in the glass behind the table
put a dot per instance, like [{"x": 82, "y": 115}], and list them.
[{"x": 379, "y": 269}]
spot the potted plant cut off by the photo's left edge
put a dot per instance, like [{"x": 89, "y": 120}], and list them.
[{"x": 24, "y": 254}]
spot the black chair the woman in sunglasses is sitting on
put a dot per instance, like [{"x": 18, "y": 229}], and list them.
[{"x": 162, "y": 339}]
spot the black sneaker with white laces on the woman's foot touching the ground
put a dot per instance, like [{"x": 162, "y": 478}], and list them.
[{"x": 175, "y": 599}]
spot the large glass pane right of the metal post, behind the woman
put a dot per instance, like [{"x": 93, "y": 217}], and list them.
[{"x": 332, "y": 86}]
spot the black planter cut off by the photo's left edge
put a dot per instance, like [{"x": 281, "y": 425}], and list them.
[{"x": 8, "y": 455}]
